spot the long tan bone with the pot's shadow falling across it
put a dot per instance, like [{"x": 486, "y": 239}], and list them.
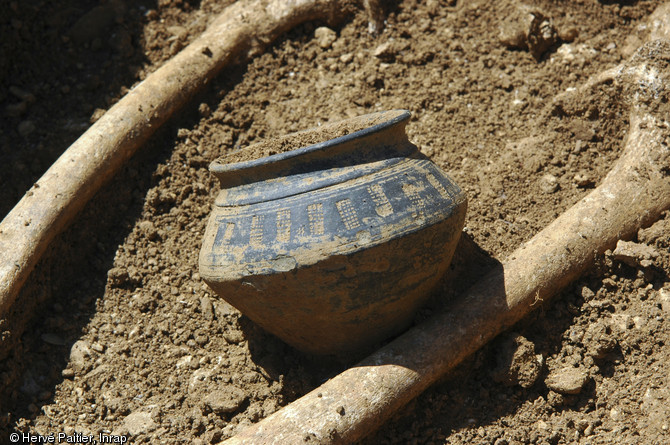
[{"x": 633, "y": 195}]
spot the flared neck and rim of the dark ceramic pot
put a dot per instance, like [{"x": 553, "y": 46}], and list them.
[{"x": 380, "y": 142}]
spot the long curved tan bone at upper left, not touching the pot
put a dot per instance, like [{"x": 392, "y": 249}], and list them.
[{"x": 243, "y": 29}]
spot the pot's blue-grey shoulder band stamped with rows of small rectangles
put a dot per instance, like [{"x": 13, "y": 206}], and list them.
[{"x": 281, "y": 235}]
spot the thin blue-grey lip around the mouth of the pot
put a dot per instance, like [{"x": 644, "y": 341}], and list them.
[{"x": 396, "y": 116}]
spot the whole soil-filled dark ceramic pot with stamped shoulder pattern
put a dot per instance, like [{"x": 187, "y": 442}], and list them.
[{"x": 334, "y": 244}]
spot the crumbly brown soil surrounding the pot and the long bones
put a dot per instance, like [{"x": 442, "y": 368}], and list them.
[{"x": 125, "y": 338}]
